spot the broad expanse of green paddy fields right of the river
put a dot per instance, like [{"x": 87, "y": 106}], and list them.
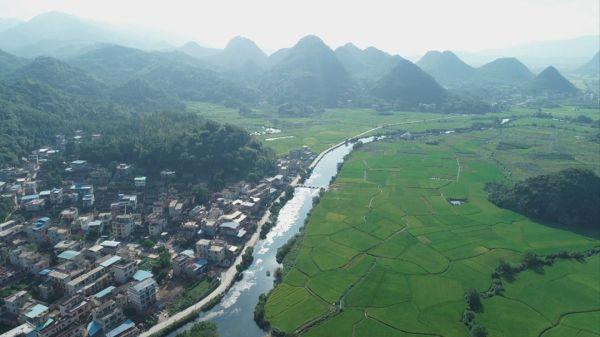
[{"x": 385, "y": 253}]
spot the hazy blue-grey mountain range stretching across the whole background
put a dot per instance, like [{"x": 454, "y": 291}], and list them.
[{"x": 99, "y": 61}]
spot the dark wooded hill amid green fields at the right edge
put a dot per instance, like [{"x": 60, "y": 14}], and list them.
[{"x": 570, "y": 197}]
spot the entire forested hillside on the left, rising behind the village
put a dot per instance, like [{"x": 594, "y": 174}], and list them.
[{"x": 47, "y": 97}]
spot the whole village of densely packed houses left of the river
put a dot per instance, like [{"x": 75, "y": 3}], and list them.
[{"x": 104, "y": 251}]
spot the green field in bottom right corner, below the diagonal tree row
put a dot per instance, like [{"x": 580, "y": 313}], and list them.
[{"x": 561, "y": 300}]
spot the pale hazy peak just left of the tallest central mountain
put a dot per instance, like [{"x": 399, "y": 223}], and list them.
[{"x": 238, "y": 53}]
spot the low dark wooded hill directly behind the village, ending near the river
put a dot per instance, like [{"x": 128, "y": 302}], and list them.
[{"x": 206, "y": 150}]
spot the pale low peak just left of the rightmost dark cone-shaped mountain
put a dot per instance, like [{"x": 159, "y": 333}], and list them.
[{"x": 505, "y": 71}]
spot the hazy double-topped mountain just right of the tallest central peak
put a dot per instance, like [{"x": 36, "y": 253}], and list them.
[{"x": 370, "y": 63}]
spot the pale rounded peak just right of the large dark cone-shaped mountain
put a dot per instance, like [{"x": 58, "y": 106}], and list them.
[{"x": 446, "y": 68}]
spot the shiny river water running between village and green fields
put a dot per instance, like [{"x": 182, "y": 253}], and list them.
[{"x": 235, "y": 314}]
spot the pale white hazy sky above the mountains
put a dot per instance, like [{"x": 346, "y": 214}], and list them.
[{"x": 404, "y": 27}]
